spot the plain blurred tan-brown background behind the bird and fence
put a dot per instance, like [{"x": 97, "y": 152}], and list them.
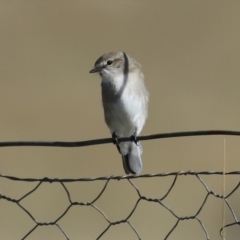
[{"x": 190, "y": 54}]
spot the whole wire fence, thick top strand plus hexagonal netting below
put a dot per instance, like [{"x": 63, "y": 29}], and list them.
[{"x": 160, "y": 201}]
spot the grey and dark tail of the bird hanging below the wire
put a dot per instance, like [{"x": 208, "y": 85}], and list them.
[{"x": 132, "y": 162}]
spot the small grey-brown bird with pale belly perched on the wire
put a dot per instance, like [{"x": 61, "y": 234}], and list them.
[{"x": 125, "y": 104}]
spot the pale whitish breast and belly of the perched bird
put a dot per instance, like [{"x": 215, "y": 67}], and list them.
[{"x": 124, "y": 107}]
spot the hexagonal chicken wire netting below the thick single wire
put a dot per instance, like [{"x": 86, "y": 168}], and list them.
[{"x": 140, "y": 197}]
